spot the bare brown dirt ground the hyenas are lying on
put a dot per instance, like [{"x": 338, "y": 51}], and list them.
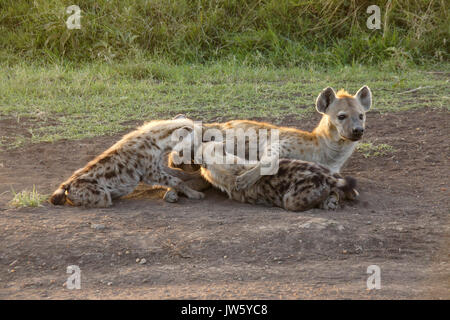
[{"x": 220, "y": 249}]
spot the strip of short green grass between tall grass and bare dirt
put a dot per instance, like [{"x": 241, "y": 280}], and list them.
[{"x": 48, "y": 102}]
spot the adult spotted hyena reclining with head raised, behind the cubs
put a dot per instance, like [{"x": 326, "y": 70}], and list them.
[{"x": 330, "y": 144}]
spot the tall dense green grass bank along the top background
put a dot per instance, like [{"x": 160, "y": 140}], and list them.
[{"x": 278, "y": 32}]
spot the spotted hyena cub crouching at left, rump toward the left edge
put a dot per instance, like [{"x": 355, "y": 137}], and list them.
[{"x": 138, "y": 156}]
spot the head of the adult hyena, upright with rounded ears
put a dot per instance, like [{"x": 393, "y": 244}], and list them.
[{"x": 346, "y": 112}]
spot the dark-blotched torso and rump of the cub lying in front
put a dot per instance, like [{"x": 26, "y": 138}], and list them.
[{"x": 299, "y": 186}]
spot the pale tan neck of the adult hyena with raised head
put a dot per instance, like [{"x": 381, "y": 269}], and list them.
[{"x": 334, "y": 150}]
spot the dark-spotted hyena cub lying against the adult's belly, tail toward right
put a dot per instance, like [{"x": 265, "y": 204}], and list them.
[{"x": 297, "y": 186}]
